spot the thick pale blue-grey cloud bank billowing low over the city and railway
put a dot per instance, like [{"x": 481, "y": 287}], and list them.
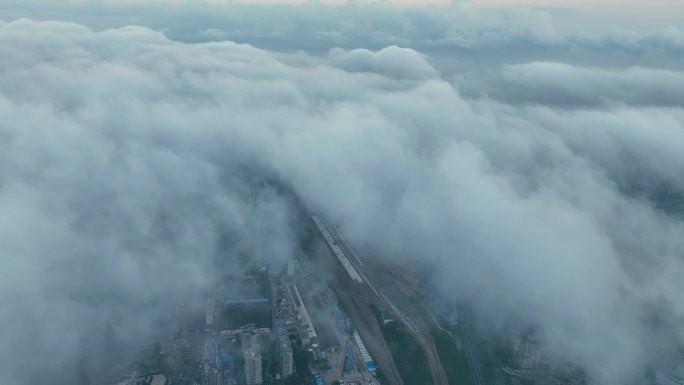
[{"x": 125, "y": 155}]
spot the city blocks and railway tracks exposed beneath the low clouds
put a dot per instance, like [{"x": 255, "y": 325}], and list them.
[{"x": 325, "y": 315}]
